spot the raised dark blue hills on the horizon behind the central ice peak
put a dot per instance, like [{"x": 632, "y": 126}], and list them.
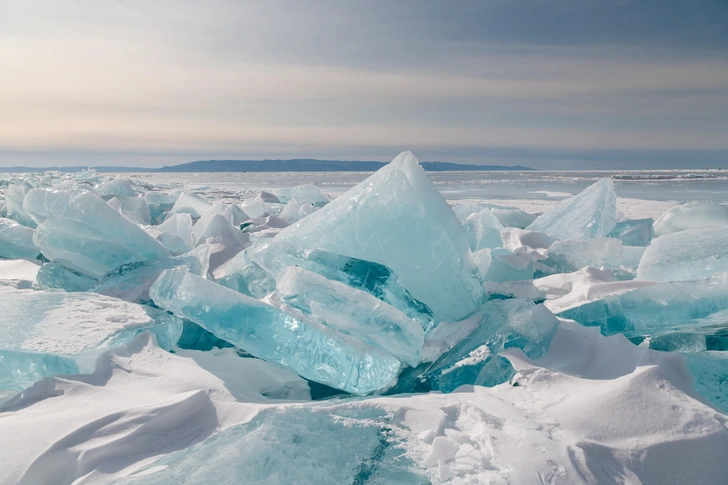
[{"x": 314, "y": 165}]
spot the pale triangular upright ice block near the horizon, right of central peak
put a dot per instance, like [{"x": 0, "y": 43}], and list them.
[{"x": 590, "y": 214}]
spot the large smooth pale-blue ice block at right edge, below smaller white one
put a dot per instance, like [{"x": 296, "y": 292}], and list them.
[{"x": 685, "y": 255}]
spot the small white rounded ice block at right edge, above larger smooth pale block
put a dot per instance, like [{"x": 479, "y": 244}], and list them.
[{"x": 692, "y": 215}]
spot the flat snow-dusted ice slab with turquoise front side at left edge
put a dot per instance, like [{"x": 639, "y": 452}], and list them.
[{"x": 43, "y": 333}]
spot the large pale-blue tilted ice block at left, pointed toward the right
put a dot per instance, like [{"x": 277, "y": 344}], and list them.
[{"x": 84, "y": 233}]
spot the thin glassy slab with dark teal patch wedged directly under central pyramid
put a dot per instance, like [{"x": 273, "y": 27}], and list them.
[{"x": 373, "y": 278}]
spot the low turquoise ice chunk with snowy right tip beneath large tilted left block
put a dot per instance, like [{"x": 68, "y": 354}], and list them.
[{"x": 131, "y": 282}]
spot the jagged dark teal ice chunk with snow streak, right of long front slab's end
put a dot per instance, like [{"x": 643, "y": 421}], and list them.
[{"x": 496, "y": 326}]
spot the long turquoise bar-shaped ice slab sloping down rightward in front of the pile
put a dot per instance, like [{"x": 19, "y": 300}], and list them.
[{"x": 308, "y": 348}]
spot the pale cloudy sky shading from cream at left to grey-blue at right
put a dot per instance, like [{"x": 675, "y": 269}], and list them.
[{"x": 593, "y": 84}]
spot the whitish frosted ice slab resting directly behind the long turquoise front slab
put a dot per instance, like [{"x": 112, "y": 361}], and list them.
[{"x": 352, "y": 312}]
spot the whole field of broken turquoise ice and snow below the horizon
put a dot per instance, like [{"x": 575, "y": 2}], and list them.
[{"x": 397, "y": 327}]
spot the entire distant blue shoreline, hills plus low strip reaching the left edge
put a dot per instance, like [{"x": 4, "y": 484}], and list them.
[{"x": 293, "y": 165}]
